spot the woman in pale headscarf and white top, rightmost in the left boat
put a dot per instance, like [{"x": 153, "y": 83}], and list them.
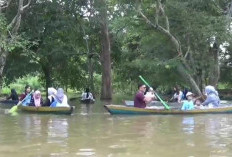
[{"x": 61, "y": 99}]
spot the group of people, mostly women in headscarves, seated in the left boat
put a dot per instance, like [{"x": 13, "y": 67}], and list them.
[{"x": 56, "y": 98}]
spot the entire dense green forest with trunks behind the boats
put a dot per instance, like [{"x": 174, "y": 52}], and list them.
[{"x": 107, "y": 44}]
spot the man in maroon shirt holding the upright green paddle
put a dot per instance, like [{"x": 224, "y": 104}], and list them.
[{"x": 140, "y": 100}]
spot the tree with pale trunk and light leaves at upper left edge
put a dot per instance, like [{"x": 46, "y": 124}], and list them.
[{"x": 9, "y": 35}]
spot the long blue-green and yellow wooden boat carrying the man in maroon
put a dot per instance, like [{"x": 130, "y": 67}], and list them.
[{"x": 122, "y": 109}]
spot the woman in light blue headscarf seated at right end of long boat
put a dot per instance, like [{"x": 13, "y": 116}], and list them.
[{"x": 212, "y": 99}]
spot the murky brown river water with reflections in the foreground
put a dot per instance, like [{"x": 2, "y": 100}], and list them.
[{"x": 93, "y": 132}]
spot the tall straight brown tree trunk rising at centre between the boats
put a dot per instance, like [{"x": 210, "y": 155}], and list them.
[{"x": 106, "y": 90}]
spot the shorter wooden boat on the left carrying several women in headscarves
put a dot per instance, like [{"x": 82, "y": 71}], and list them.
[{"x": 54, "y": 110}]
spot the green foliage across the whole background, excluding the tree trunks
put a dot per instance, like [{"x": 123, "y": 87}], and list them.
[{"x": 51, "y": 42}]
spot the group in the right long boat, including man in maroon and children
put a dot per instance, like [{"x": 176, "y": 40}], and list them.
[{"x": 142, "y": 98}]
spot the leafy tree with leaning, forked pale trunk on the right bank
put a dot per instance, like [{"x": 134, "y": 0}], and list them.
[{"x": 189, "y": 28}]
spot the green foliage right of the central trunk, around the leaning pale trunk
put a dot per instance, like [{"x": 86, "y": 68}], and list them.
[{"x": 196, "y": 24}]
